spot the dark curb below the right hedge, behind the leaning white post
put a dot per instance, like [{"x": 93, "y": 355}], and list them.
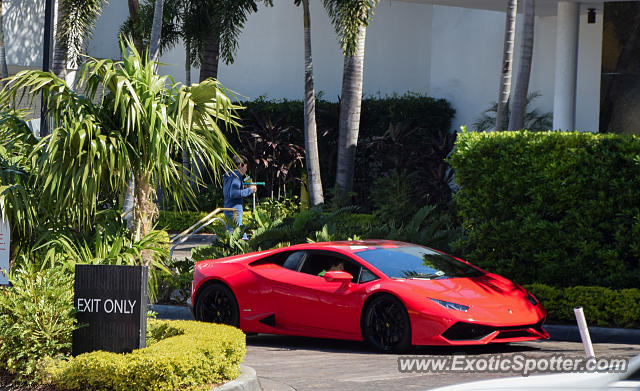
[{"x": 598, "y": 334}]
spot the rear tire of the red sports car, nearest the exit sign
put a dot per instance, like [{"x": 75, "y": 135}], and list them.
[{"x": 217, "y": 304}]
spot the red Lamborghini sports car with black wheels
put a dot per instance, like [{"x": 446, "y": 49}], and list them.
[{"x": 389, "y": 294}]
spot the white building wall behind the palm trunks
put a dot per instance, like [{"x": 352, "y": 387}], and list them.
[{"x": 447, "y": 52}]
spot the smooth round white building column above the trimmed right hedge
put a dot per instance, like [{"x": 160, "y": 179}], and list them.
[{"x": 564, "y": 98}]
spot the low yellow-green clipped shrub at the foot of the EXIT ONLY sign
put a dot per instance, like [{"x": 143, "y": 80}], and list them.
[{"x": 190, "y": 355}]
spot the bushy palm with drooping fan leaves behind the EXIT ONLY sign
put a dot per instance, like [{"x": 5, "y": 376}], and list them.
[{"x": 138, "y": 124}]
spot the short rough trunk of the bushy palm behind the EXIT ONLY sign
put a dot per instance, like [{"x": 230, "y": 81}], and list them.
[{"x": 145, "y": 211}]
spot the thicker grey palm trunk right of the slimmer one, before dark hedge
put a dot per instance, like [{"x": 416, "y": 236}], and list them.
[{"x": 349, "y": 123}]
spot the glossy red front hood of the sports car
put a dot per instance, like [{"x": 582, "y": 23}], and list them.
[{"x": 487, "y": 296}]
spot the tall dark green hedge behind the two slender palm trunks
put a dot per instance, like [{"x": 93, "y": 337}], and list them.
[{"x": 396, "y": 132}]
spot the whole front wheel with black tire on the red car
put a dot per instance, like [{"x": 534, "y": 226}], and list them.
[{"x": 386, "y": 326}]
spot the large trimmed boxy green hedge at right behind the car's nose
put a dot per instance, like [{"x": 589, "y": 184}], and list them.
[{"x": 560, "y": 208}]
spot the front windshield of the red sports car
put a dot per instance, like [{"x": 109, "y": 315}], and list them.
[{"x": 417, "y": 262}]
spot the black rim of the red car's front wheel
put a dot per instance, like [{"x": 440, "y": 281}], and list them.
[{"x": 385, "y": 324}]
